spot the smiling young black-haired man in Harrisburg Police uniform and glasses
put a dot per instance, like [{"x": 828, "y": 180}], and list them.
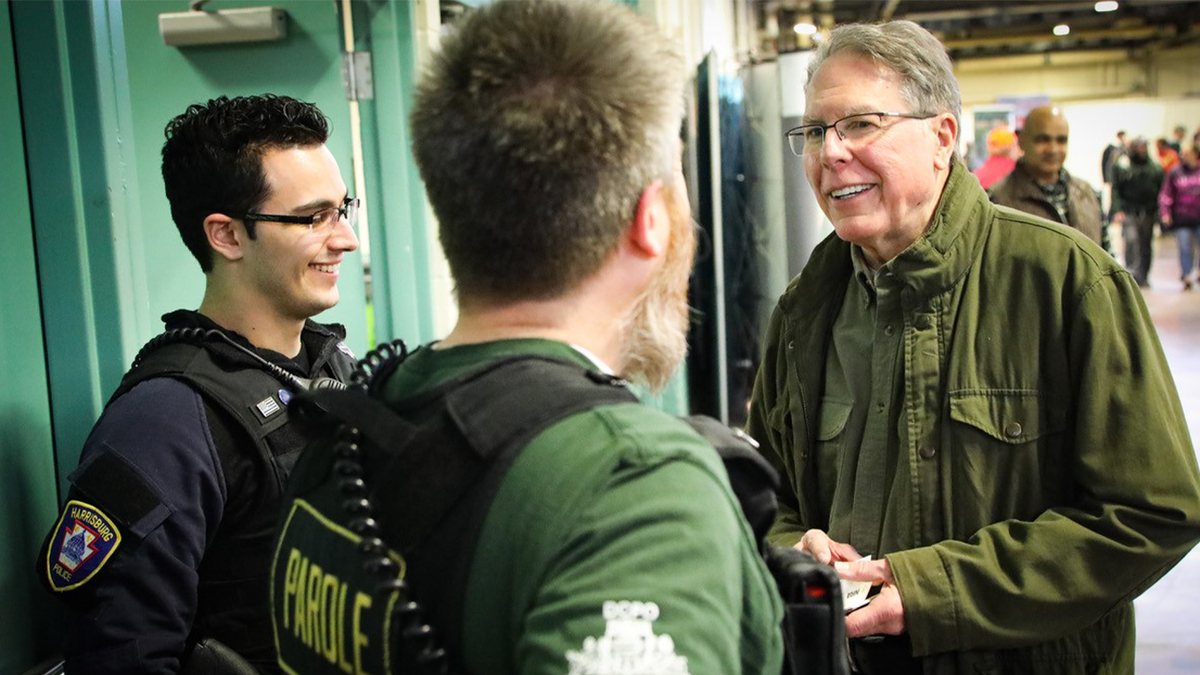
[{"x": 166, "y": 536}]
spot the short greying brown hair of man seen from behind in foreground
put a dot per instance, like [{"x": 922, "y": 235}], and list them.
[{"x": 536, "y": 132}]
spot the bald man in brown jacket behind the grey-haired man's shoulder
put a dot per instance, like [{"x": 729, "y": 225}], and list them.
[{"x": 1040, "y": 184}]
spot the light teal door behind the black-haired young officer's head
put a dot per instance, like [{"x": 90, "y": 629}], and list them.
[{"x": 164, "y": 81}]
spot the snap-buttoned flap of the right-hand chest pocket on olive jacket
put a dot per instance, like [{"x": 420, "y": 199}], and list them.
[{"x": 1012, "y": 416}]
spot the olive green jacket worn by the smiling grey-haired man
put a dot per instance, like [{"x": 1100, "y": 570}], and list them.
[{"x": 1064, "y": 482}]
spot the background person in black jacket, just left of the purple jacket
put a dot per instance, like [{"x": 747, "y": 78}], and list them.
[{"x": 1137, "y": 181}]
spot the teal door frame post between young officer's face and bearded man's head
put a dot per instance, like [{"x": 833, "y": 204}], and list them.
[{"x": 400, "y": 240}]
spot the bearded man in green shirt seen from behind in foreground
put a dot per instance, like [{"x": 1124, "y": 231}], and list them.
[{"x": 548, "y": 135}]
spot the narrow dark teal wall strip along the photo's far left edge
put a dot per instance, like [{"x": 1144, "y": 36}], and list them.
[{"x": 27, "y": 451}]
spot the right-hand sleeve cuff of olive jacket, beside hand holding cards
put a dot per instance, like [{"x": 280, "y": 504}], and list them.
[{"x": 928, "y": 598}]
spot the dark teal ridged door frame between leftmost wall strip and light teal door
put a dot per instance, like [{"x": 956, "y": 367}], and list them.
[{"x": 69, "y": 140}]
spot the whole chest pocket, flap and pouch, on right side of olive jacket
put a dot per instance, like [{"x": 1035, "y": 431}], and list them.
[{"x": 1006, "y": 450}]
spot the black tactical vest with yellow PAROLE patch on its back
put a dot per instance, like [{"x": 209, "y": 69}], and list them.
[{"x": 347, "y": 590}]
